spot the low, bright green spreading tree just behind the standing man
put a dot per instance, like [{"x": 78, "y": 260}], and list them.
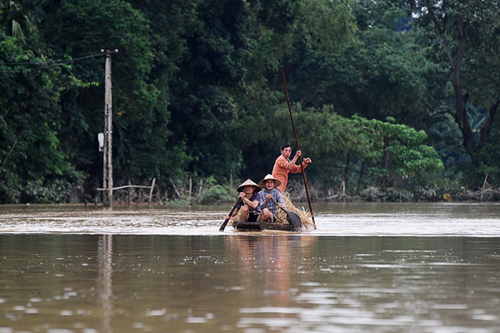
[{"x": 356, "y": 151}]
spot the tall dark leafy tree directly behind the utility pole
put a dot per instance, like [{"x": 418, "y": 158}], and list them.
[{"x": 79, "y": 30}]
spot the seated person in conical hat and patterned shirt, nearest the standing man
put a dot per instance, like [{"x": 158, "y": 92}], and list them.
[{"x": 270, "y": 199}]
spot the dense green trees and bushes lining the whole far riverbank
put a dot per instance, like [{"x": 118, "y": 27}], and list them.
[{"x": 393, "y": 100}]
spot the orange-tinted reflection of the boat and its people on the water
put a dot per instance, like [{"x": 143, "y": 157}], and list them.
[{"x": 269, "y": 265}]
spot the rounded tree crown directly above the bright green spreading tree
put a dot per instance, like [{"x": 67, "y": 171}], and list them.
[{"x": 383, "y": 72}]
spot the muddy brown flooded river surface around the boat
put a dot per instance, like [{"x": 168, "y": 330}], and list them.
[{"x": 366, "y": 268}]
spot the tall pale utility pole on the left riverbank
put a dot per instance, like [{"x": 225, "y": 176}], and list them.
[{"x": 107, "y": 175}]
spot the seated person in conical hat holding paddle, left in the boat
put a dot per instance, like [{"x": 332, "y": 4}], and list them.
[{"x": 250, "y": 203}]
